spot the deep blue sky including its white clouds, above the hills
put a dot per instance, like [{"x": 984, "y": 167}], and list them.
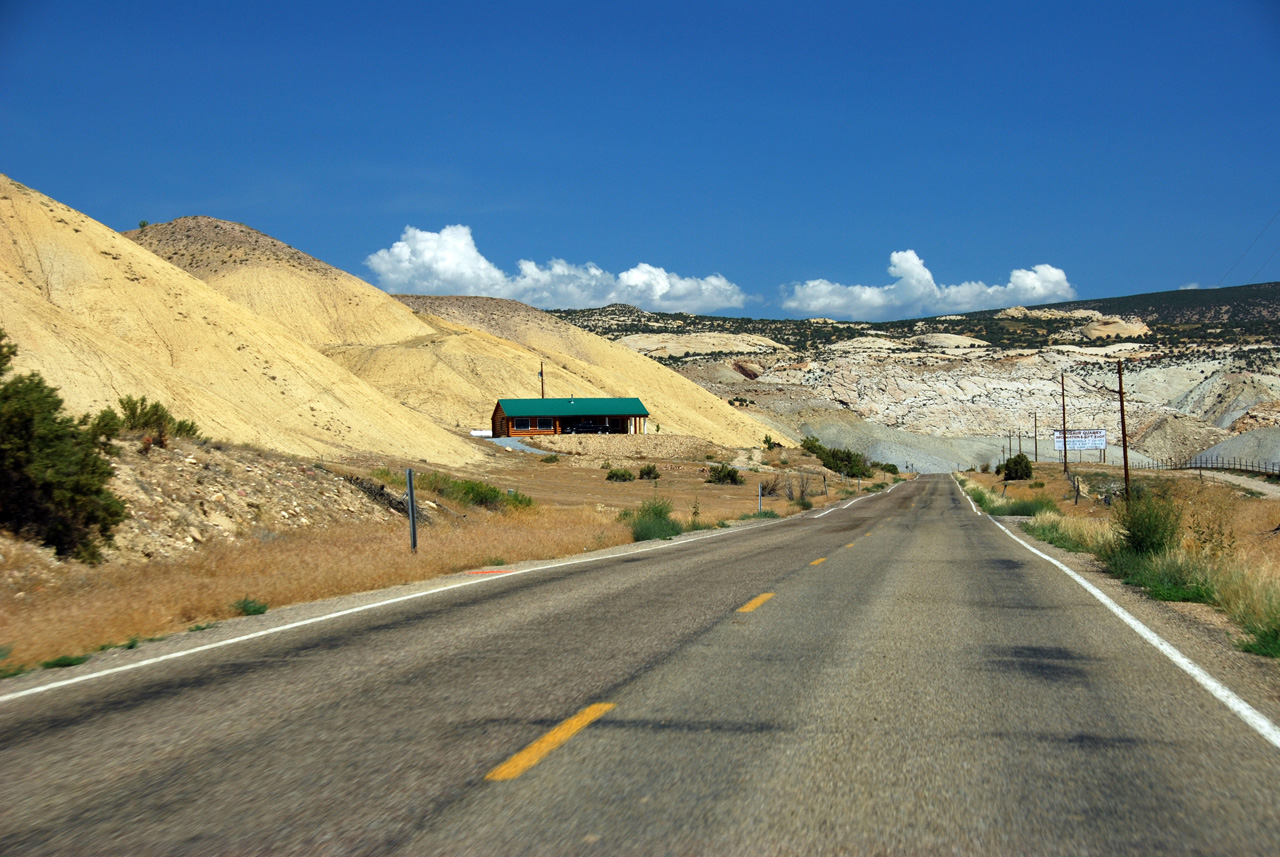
[{"x": 848, "y": 161}]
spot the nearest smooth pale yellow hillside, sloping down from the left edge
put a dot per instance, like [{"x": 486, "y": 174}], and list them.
[{"x": 100, "y": 318}]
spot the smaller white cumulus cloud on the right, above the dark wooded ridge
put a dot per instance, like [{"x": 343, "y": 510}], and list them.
[{"x": 916, "y": 294}]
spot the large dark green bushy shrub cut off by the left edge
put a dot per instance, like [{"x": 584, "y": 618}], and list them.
[{"x": 53, "y": 473}]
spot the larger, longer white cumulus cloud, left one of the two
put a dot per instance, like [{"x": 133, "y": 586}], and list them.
[{"x": 449, "y": 263}]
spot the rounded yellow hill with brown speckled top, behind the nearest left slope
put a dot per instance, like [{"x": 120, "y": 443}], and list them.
[{"x": 317, "y": 303}]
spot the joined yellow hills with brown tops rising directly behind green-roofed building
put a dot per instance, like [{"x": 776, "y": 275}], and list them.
[{"x": 446, "y": 359}]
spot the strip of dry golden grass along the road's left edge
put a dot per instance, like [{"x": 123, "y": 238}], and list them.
[{"x": 85, "y": 609}]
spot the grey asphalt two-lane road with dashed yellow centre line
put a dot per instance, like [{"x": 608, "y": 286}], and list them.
[{"x": 915, "y": 682}]
